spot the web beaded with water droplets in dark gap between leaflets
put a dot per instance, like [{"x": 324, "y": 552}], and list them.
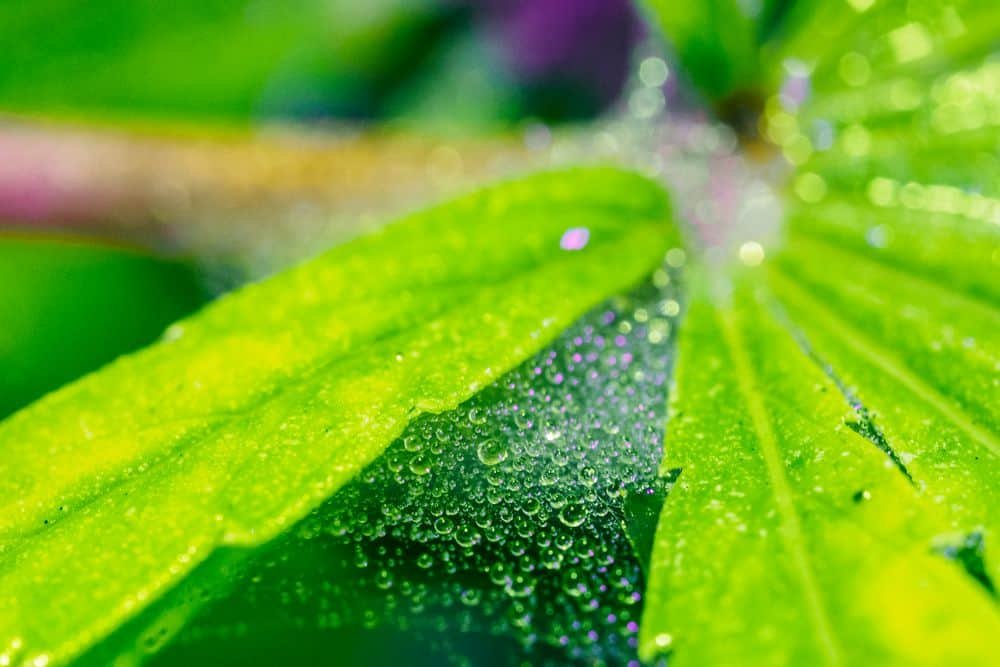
[{"x": 500, "y": 519}]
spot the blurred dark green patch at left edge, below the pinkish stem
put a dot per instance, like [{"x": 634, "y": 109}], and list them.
[{"x": 83, "y": 305}]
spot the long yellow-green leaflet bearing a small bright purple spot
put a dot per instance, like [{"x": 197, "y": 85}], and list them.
[{"x": 247, "y": 415}]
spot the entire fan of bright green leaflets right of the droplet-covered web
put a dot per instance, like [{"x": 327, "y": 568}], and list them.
[{"x": 836, "y": 420}]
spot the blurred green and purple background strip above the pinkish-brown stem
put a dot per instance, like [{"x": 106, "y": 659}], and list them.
[{"x": 239, "y": 61}]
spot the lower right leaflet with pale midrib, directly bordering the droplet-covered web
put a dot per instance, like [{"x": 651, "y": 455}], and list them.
[{"x": 788, "y": 538}]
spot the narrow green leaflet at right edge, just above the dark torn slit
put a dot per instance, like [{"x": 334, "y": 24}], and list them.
[{"x": 922, "y": 357}]
